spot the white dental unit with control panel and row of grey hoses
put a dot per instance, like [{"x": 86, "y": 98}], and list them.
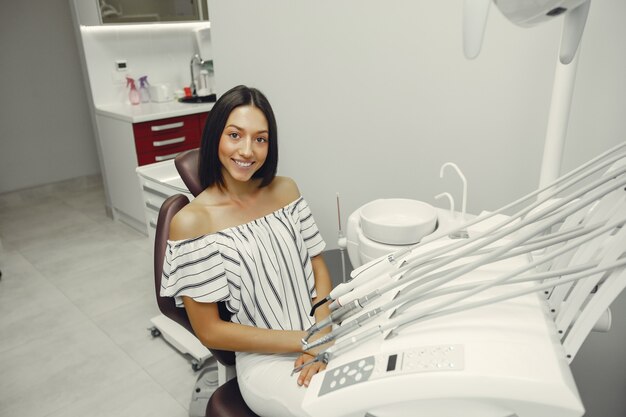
[{"x": 440, "y": 326}]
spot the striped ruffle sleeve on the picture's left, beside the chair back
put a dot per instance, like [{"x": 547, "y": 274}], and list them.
[{"x": 194, "y": 268}]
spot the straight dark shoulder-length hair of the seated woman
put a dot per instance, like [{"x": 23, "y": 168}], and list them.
[{"x": 209, "y": 166}]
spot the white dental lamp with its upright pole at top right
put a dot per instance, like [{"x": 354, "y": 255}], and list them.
[{"x": 526, "y": 14}]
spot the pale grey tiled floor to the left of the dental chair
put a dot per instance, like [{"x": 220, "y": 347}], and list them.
[{"x": 76, "y": 297}]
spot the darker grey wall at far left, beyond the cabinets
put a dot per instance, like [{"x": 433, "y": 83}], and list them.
[{"x": 45, "y": 124}]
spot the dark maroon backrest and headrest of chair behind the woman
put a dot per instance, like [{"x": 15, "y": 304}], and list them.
[{"x": 167, "y": 305}]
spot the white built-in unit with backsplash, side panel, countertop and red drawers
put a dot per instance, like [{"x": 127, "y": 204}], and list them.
[{"x": 127, "y": 135}]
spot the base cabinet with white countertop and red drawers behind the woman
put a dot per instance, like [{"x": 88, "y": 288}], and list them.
[{"x": 133, "y": 136}]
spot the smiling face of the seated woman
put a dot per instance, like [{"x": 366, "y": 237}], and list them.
[{"x": 244, "y": 143}]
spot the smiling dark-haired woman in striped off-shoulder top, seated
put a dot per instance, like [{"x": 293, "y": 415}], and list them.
[{"x": 249, "y": 240}]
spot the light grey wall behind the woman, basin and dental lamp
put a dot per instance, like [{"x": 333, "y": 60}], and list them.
[{"x": 373, "y": 96}]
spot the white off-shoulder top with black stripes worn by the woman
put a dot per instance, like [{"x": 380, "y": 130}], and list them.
[{"x": 261, "y": 269}]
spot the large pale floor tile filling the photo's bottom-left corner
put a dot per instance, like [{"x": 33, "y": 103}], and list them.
[{"x": 57, "y": 369}]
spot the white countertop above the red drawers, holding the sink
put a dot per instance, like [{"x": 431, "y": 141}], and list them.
[{"x": 145, "y": 112}]
